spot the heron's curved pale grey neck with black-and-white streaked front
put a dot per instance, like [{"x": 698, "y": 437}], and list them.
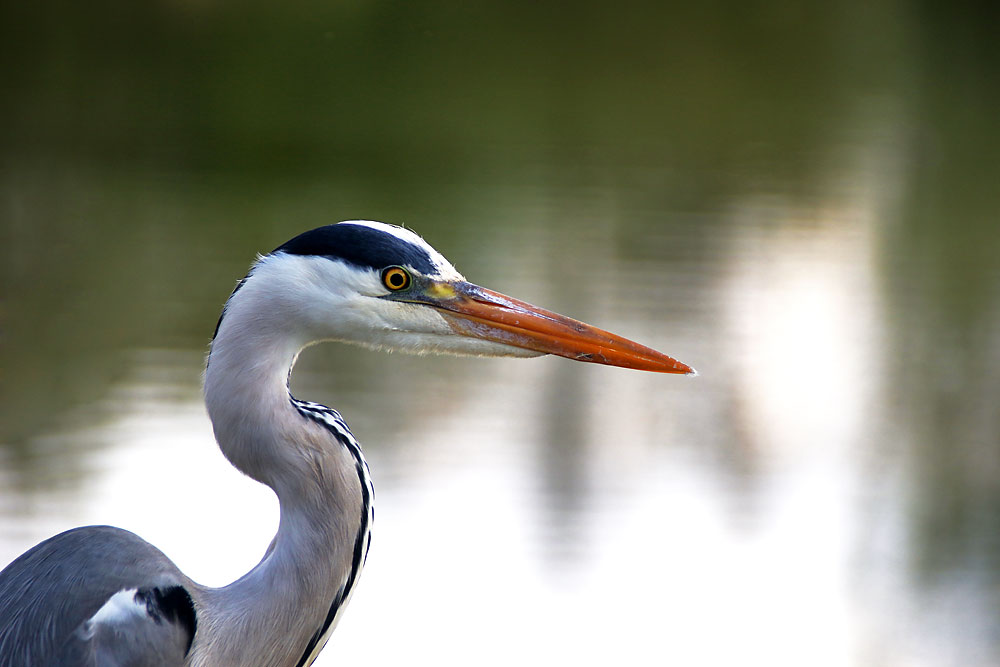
[{"x": 282, "y": 611}]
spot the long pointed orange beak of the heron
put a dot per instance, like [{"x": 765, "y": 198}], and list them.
[{"x": 481, "y": 313}]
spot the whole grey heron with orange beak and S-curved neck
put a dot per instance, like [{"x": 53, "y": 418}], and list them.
[{"x": 100, "y": 595}]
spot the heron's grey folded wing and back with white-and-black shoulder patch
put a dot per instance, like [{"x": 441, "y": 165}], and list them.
[{"x": 94, "y": 596}]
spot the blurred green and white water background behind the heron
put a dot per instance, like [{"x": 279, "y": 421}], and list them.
[{"x": 802, "y": 200}]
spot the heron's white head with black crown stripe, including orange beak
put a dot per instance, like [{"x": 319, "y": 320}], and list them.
[{"x": 384, "y": 287}]
